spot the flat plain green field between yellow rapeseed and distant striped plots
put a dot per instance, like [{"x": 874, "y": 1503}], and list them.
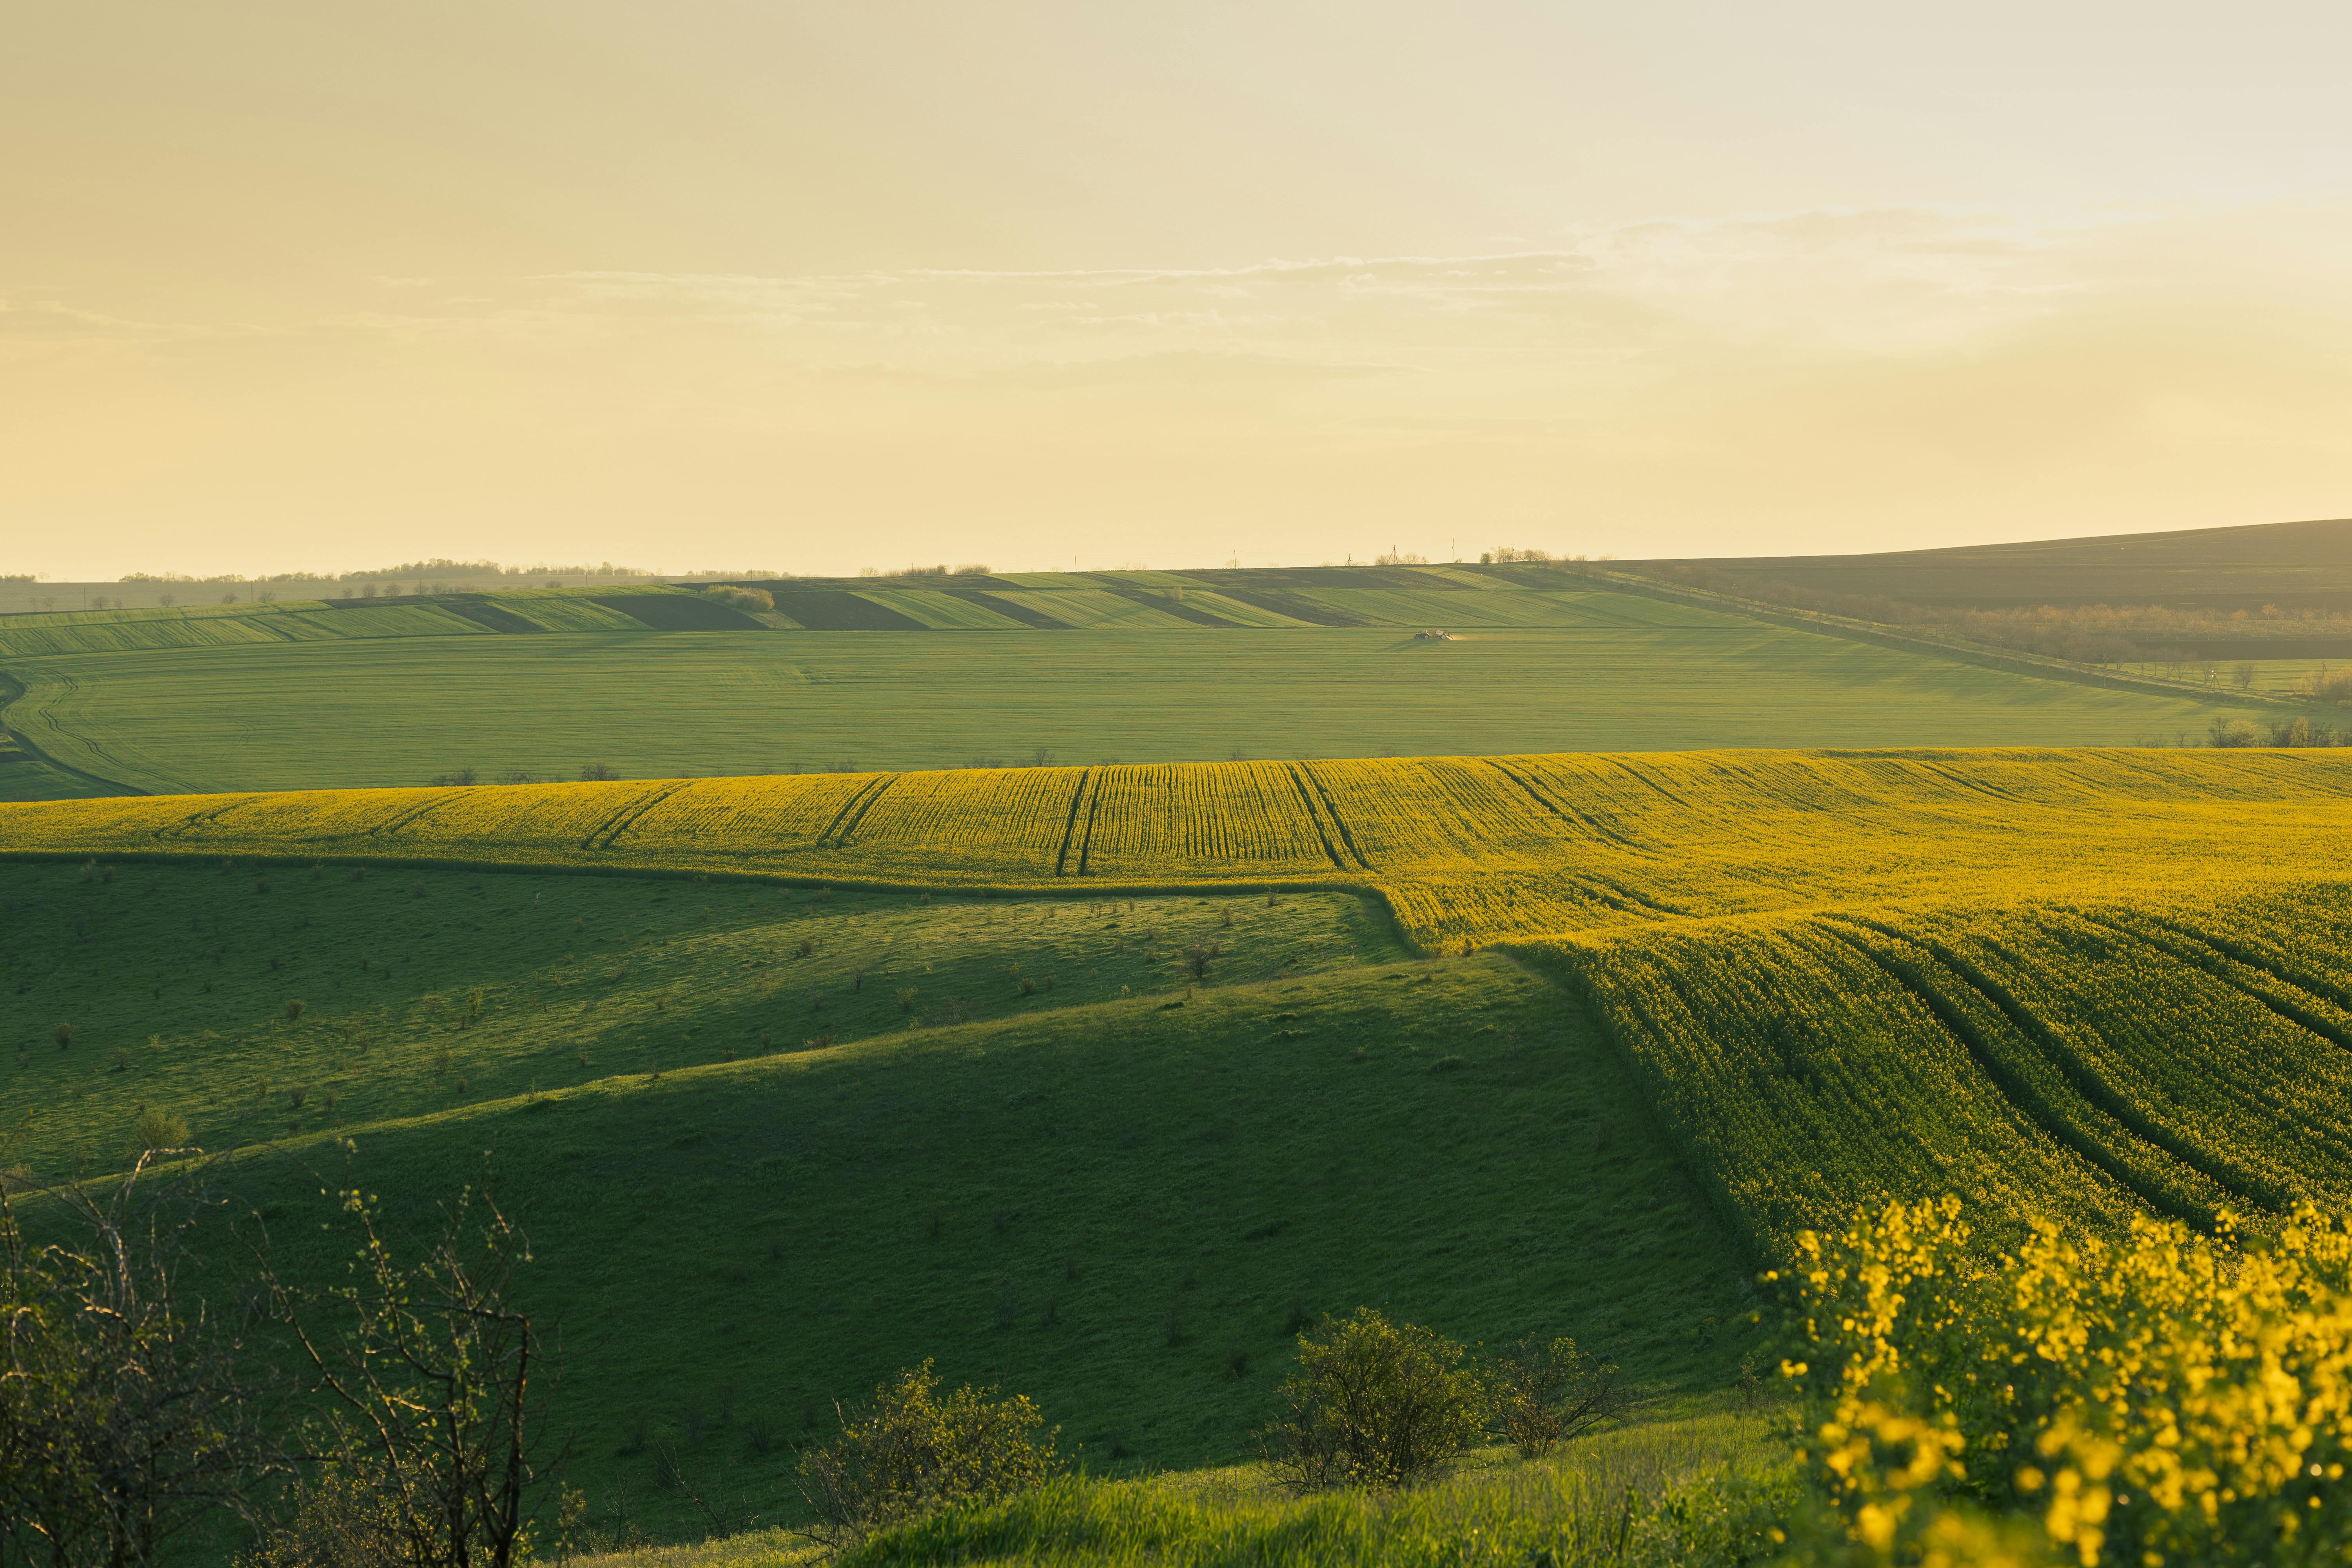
[{"x": 664, "y": 704}]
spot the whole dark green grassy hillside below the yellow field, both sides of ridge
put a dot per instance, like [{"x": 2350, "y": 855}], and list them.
[{"x": 1114, "y": 1195}]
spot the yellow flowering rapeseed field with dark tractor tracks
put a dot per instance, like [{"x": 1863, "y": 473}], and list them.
[{"x": 2052, "y": 981}]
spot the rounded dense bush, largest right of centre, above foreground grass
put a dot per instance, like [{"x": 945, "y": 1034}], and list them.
[{"x": 1375, "y": 1405}]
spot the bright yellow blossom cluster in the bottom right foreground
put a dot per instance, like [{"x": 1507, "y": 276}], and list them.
[{"x": 2158, "y": 1398}]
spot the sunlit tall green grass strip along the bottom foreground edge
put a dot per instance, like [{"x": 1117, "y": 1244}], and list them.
[{"x": 1706, "y": 1489}]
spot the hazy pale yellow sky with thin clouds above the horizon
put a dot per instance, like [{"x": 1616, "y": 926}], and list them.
[{"x": 829, "y": 286}]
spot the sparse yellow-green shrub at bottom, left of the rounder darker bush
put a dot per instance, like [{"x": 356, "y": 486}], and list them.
[{"x": 914, "y": 1452}]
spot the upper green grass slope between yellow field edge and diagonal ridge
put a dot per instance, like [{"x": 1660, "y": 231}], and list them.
[{"x": 265, "y": 1000}]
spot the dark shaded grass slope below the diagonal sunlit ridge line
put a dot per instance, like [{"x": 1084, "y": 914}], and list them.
[{"x": 1125, "y": 1212}]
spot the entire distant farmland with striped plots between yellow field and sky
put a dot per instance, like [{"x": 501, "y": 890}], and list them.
[{"x": 1137, "y": 666}]
